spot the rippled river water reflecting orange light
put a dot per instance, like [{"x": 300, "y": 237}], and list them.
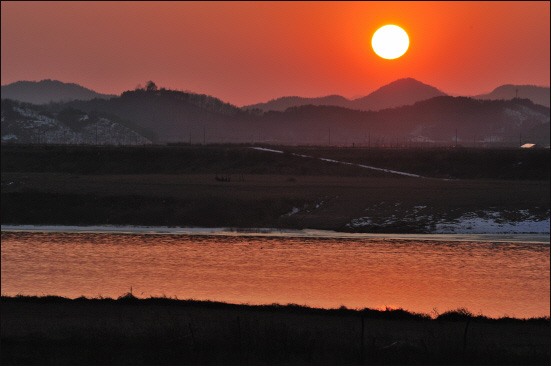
[{"x": 494, "y": 279}]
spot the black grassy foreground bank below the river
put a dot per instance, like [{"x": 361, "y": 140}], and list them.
[{"x": 55, "y": 330}]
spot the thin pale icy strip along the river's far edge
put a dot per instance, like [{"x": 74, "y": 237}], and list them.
[{"x": 536, "y": 238}]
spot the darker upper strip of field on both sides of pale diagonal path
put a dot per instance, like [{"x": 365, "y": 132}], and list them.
[{"x": 516, "y": 164}]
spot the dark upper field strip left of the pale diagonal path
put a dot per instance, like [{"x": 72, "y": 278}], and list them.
[{"x": 225, "y": 160}]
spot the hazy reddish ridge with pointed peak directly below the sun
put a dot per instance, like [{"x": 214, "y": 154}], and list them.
[{"x": 398, "y": 93}]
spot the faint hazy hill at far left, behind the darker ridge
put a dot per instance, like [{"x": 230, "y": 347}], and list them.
[{"x": 46, "y": 91}]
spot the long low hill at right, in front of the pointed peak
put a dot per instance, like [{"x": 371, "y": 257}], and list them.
[{"x": 437, "y": 120}]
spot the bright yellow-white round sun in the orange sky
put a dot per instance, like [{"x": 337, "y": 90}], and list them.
[{"x": 390, "y": 42}]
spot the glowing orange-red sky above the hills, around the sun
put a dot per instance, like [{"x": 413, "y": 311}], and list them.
[{"x": 250, "y": 52}]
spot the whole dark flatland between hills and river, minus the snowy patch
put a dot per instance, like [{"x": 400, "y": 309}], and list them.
[{"x": 177, "y": 186}]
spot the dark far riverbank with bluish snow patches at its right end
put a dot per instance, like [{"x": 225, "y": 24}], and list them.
[{"x": 336, "y": 203}]
